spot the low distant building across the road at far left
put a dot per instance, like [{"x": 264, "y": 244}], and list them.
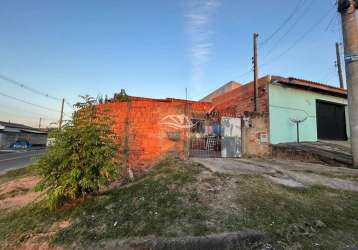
[{"x": 12, "y": 132}]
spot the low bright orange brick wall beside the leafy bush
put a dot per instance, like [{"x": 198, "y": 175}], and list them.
[{"x": 141, "y": 130}]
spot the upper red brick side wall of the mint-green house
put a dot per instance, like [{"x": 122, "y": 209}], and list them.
[{"x": 241, "y": 99}]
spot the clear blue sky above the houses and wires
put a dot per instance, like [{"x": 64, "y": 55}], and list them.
[{"x": 154, "y": 48}]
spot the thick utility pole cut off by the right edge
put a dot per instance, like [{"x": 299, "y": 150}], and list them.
[{"x": 347, "y": 8}]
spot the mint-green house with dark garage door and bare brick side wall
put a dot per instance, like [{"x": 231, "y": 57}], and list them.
[{"x": 294, "y": 109}]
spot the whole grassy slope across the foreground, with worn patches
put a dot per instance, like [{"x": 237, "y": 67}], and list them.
[{"x": 165, "y": 203}]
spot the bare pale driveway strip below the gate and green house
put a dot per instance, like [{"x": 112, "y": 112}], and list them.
[{"x": 287, "y": 172}]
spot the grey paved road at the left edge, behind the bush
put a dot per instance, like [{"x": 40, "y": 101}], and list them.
[{"x": 18, "y": 159}]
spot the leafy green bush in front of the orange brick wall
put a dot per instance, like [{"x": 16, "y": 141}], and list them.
[{"x": 83, "y": 158}]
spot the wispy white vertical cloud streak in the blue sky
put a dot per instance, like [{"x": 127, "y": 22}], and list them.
[{"x": 199, "y": 21}]
